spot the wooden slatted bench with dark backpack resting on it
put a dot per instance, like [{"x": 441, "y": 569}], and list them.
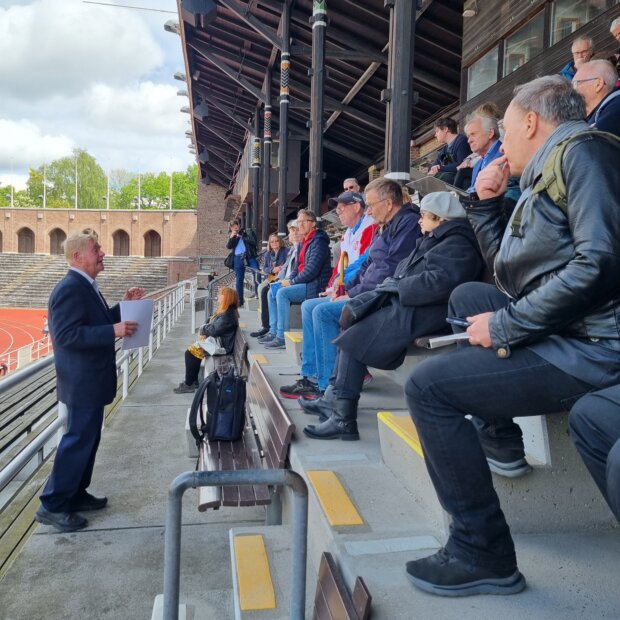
[{"x": 264, "y": 445}]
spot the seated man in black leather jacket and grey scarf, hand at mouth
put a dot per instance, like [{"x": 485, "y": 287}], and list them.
[{"x": 547, "y": 334}]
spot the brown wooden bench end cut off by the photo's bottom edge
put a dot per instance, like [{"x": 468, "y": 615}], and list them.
[{"x": 332, "y": 599}]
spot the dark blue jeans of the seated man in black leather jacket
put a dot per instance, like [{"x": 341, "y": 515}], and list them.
[{"x": 440, "y": 392}]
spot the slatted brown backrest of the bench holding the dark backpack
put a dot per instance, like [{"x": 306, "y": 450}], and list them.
[{"x": 273, "y": 425}]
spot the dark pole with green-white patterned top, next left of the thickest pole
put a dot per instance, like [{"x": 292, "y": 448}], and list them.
[{"x": 317, "y": 92}]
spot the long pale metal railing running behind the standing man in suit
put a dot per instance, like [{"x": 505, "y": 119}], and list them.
[{"x": 169, "y": 303}]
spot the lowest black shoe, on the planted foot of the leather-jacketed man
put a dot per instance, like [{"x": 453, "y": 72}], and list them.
[{"x": 445, "y": 575}]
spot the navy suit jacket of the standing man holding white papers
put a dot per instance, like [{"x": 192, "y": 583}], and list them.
[{"x": 81, "y": 327}]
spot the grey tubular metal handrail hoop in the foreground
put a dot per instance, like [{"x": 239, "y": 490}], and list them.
[{"x": 272, "y": 477}]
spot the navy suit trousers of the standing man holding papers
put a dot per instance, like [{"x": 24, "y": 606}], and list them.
[{"x": 75, "y": 458}]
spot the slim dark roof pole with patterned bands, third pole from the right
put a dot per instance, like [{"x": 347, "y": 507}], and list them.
[{"x": 285, "y": 66}]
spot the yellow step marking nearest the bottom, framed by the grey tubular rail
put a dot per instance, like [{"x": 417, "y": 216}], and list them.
[{"x": 253, "y": 573}]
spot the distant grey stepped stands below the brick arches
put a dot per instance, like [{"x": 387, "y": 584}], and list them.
[{"x": 26, "y": 280}]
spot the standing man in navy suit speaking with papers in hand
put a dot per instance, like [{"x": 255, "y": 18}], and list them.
[{"x": 83, "y": 330}]
